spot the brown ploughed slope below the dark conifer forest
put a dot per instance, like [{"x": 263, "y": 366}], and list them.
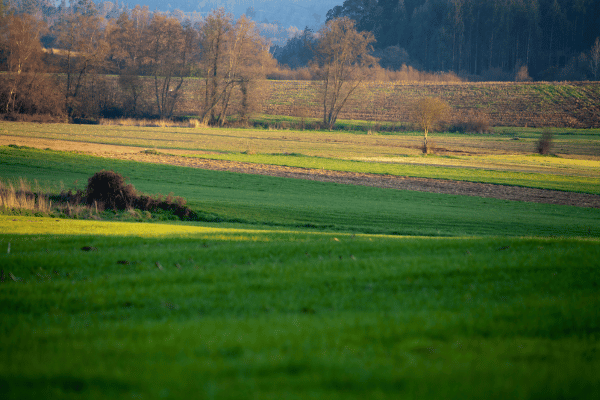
[{"x": 573, "y": 104}]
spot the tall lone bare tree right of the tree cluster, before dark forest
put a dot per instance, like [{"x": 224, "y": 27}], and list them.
[{"x": 343, "y": 53}]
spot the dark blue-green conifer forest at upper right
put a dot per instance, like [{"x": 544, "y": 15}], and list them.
[{"x": 493, "y": 38}]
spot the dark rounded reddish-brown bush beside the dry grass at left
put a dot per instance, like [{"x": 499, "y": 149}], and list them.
[{"x": 109, "y": 188}]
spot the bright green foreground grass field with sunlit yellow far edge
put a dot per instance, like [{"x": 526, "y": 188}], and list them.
[{"x": 99, "y": 310}]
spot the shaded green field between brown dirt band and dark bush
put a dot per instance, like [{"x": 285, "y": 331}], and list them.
[{"x": 274, "y": 201}]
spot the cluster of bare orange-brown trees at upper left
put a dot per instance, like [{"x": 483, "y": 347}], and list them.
[{"x": 150, "y": 52}]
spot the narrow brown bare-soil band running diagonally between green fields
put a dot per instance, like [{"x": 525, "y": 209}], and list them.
[{"x": 383, "y": 181}]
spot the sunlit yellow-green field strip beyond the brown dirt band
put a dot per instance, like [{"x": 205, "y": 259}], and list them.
[{"x": 495, "y": 158}]
